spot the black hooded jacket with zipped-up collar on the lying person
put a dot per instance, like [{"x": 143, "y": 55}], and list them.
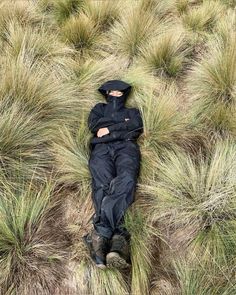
[{"x": 112, "y": 115}]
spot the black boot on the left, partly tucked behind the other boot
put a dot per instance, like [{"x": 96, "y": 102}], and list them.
[{"x": 98, "y": 247}]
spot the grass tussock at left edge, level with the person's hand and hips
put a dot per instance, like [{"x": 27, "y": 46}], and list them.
[{"x": 23, "y": 146}]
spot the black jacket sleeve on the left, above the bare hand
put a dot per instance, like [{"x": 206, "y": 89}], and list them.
[{"x": 96, "y": 120}]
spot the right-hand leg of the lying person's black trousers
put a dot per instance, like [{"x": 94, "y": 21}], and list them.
[{"x": 126, "y": 157}]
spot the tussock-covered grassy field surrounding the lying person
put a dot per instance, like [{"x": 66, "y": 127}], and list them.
[{"x": 180, "y": 58}]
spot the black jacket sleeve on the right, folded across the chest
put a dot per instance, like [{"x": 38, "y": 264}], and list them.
[{"x": 135, "y": 123}]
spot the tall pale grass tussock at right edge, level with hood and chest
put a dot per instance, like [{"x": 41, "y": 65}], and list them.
[{"x": 211, "y": 83}]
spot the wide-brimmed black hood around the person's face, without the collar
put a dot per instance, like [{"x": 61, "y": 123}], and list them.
[{"x": 115, "y": 85}]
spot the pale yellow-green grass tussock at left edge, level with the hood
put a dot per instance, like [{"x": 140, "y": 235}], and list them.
[{"x": 36, "y": 88}]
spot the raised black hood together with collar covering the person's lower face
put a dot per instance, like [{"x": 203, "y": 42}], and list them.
[{"x": 115, "y": 103}]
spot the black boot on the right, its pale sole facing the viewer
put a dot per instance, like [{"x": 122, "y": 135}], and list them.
[{"x": 119, "y": 254}]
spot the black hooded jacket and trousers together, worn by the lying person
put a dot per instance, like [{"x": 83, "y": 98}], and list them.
[{"x": 114, "y": 161}]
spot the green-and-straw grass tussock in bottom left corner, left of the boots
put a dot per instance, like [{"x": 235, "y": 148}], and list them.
[{"x": 30, "y": 249}]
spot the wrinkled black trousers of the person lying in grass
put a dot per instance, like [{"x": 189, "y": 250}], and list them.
[{"x": 114, "y": 167}]
